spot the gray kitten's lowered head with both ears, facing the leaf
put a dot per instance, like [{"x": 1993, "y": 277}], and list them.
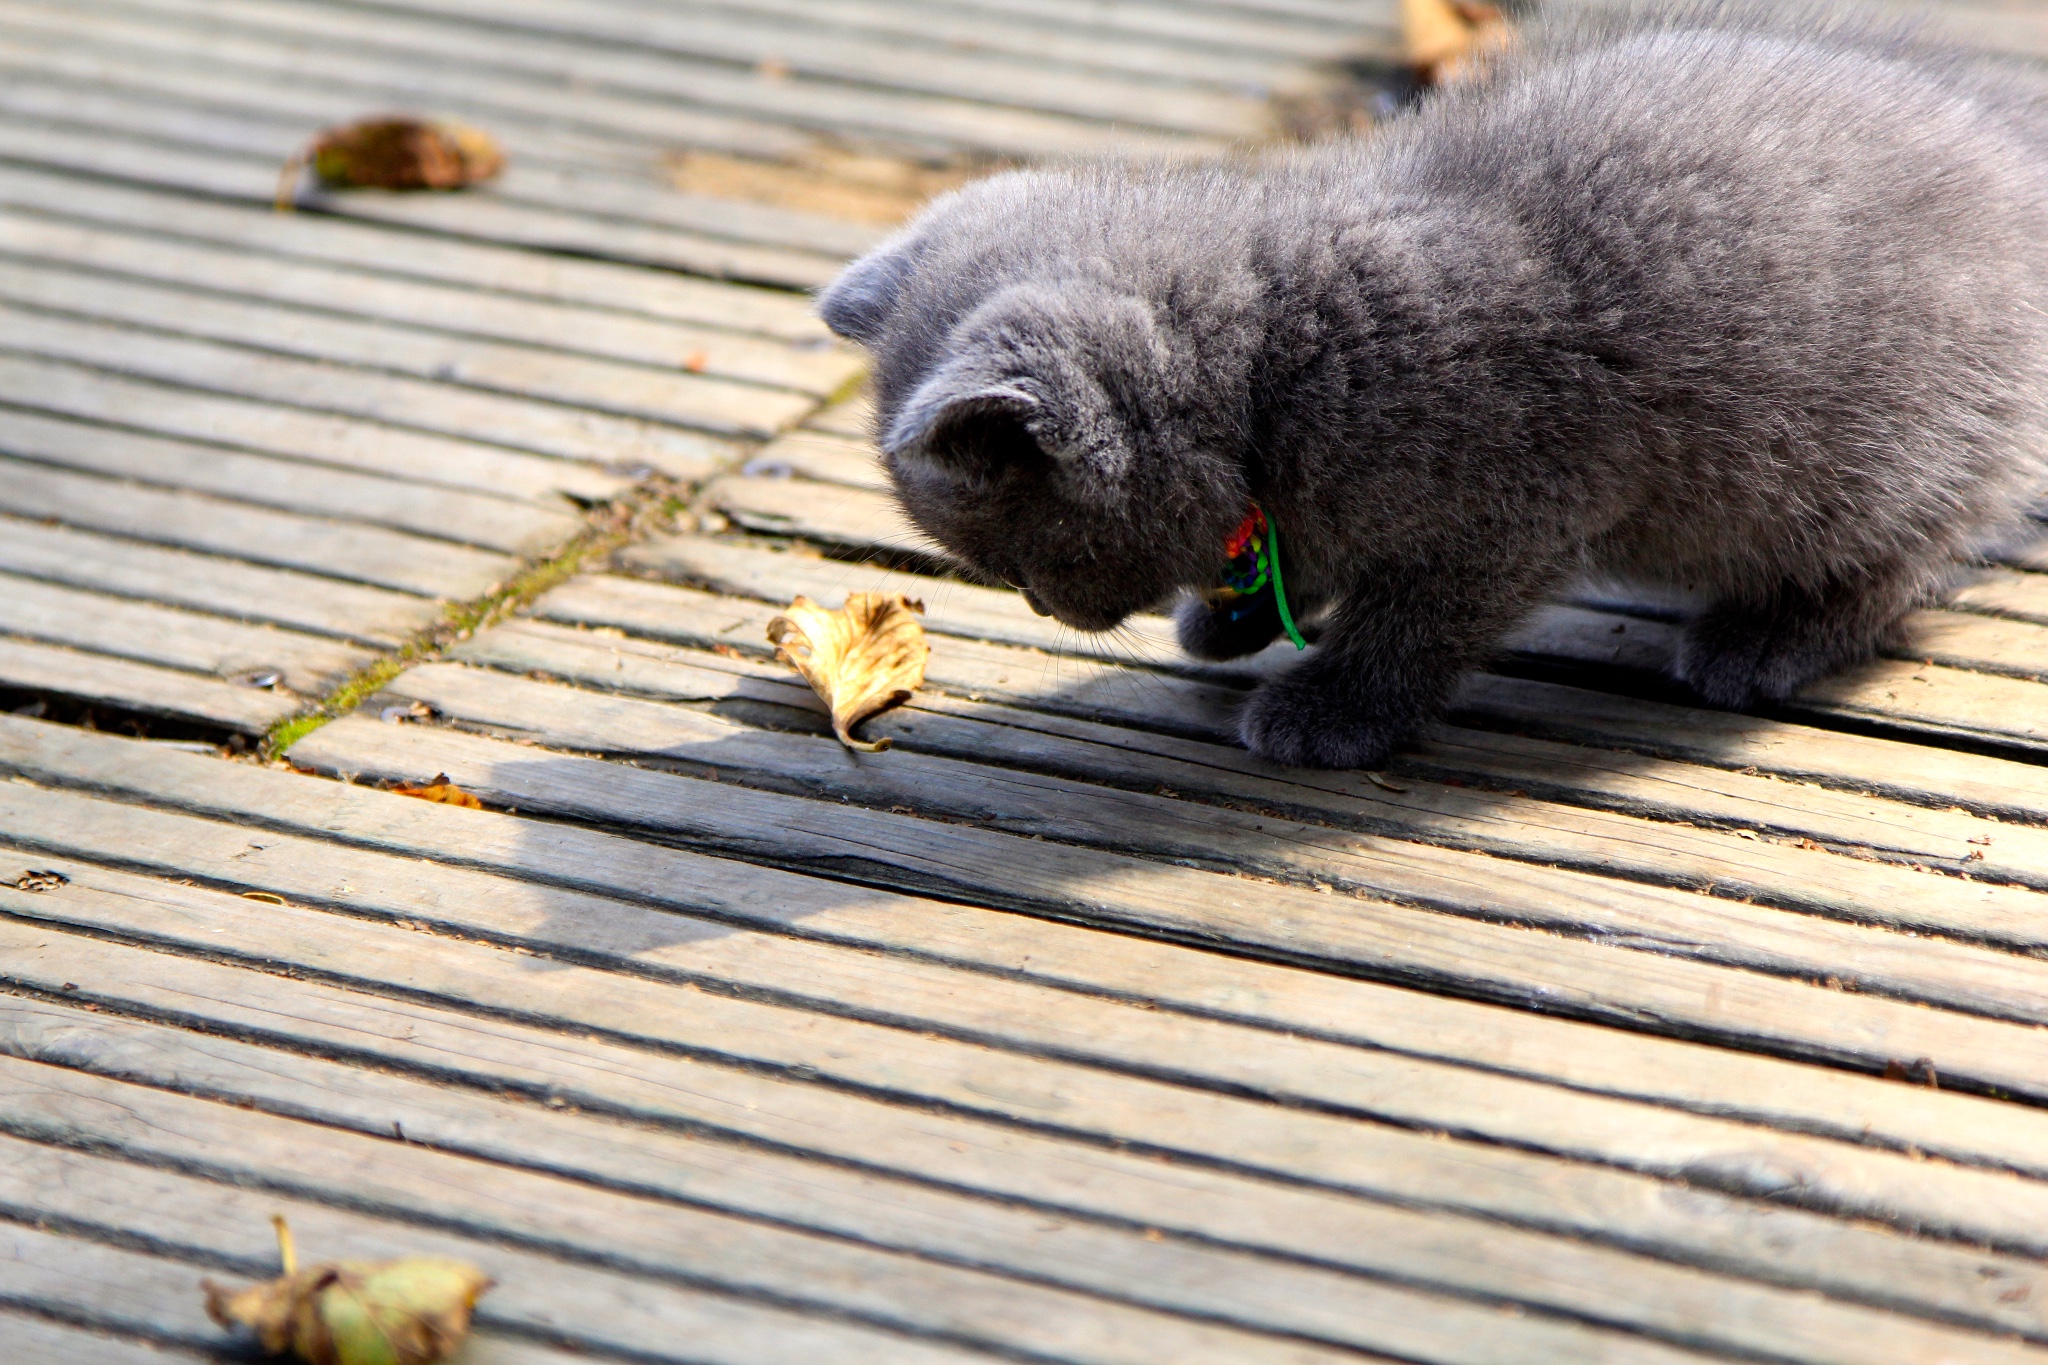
[{"x": 1062, "y": 376}]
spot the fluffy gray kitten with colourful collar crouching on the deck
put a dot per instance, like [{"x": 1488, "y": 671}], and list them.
[{"x": 1748, "y": 304}]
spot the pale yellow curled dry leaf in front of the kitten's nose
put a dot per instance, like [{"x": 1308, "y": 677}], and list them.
[{"x": 861, "y": 660}]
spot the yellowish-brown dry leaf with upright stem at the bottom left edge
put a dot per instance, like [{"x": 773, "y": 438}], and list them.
[{"x": 413, "y": 1311}]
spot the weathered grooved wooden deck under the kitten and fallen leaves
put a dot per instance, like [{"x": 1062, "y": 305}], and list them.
[{"x": 1598, "y": 1030}]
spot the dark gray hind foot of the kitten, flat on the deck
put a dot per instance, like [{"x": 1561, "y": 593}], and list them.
[{"x": 1764, "y": 650}]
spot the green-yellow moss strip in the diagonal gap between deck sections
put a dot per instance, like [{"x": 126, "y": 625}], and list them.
[{"x": 607, "y": 527}]
